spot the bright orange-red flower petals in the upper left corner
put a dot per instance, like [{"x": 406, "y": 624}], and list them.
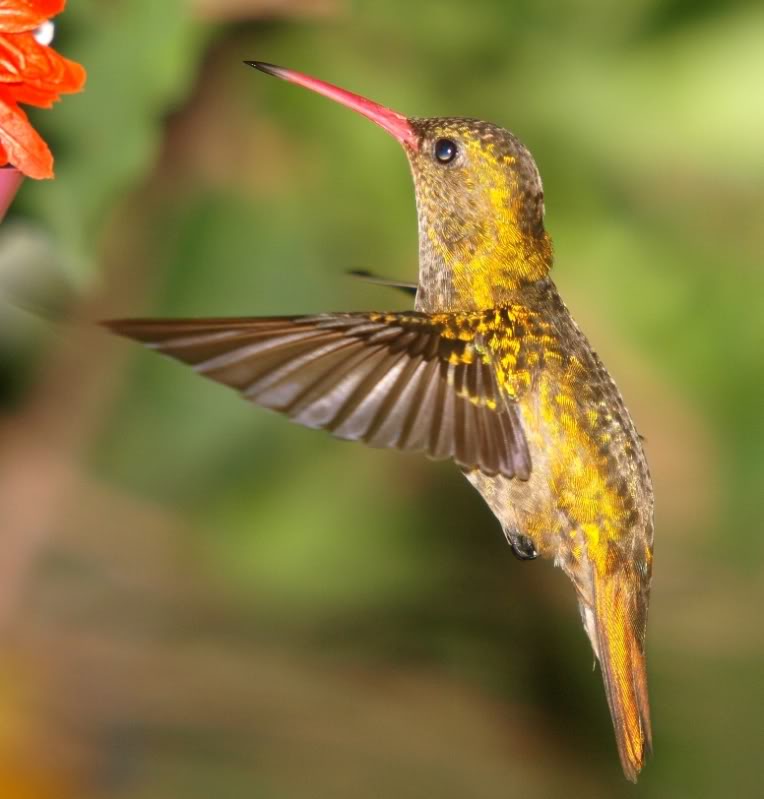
[{"x": 31, "y": 73}]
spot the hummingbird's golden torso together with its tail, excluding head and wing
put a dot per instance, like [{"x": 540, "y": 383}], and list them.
[{"x": 588, "y": 500}]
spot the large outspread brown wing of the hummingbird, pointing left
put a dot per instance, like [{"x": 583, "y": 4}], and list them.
[{"x": 405, "y": 380}]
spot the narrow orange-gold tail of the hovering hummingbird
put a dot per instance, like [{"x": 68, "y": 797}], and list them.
[{"x": 618, "y": 640}]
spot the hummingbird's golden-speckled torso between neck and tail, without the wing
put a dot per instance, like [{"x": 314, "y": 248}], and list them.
[{"x": 589, "y": 497}]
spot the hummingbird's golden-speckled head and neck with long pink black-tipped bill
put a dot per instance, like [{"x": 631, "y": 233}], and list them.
[{"x": 480, "y": 202}]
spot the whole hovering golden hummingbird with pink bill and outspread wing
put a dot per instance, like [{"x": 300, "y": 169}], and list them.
[{"x": 489, "y": 370}]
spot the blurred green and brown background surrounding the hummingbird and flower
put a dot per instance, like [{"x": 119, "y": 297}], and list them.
[{"x": 198, "y": 598}]
